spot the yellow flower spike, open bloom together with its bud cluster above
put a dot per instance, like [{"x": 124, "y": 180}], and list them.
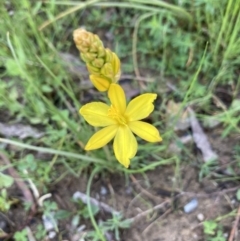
[{"x": 119, "y": 120}]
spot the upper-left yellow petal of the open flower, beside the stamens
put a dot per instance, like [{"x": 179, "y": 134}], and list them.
[{"x": 96, "y": 114}]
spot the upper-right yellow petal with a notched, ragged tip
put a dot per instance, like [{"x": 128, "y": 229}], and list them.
[{"x": 140, "y": 107}]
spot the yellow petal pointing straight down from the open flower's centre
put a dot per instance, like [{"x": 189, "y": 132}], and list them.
[{"x": 124, "y": 145}]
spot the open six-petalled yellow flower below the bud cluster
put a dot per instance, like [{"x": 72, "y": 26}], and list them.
[{"x": 120, "y": 122}]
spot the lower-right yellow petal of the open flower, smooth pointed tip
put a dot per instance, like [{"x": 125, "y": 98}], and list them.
[{"x": 146, "y": 131}]
